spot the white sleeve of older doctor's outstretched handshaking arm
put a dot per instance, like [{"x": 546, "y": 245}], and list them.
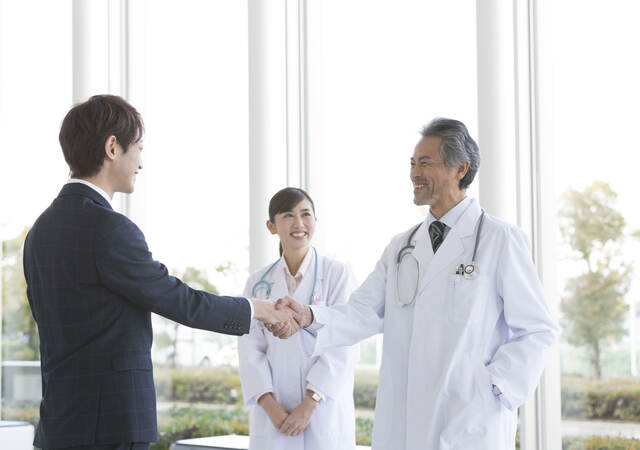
[{"x": 361, "y": 317}]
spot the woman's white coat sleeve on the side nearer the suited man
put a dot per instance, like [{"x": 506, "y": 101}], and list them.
[{"x": 255, "y": 373}]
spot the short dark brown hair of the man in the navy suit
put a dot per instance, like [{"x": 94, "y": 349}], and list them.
[{"x": 88, "y": 125}]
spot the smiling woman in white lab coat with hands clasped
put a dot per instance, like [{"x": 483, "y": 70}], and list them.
[{"x": 300, "y": 402}]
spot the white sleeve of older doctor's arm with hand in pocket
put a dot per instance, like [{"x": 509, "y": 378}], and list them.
[{"x": 517, "y": 364}]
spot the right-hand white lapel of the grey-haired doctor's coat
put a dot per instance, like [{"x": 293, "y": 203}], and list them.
[{"x": 453, "y": 247}]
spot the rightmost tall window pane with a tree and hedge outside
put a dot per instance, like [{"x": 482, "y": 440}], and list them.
[{"x": 595, "y": 110}]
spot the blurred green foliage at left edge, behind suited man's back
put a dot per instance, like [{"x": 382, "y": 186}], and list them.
[{"x": 20, "y": 335}]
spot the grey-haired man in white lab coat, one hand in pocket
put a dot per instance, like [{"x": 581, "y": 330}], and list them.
[{"x": 466, "y": 327}]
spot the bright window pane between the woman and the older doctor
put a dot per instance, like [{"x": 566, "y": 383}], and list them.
[{"x": 370, "y": 93}]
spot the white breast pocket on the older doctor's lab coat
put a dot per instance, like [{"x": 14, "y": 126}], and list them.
[{"x": 467, "y": 298}]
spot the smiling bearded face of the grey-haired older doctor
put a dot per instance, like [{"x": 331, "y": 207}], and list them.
[{"x": 434, "y": 183}]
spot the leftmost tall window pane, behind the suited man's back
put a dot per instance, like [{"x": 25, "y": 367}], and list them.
[{"x": 35, "y": 93}]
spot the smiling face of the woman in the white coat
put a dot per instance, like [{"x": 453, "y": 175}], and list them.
[{"x": 295, "y": 227}]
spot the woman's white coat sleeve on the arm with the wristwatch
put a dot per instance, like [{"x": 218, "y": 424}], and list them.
[{"x": 331, "y": 372}]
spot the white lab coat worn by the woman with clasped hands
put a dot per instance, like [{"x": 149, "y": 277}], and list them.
[{"x": 283, "y": 367}]
